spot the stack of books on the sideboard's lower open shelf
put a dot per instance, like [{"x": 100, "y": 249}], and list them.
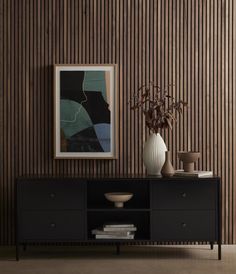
[{"x": 115, "y": 231}]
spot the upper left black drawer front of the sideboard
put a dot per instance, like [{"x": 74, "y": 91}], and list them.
[{"x": 55, "y": 194}]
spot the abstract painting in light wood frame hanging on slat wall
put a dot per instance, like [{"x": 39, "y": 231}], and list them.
[{"x": 85, "y": 111}]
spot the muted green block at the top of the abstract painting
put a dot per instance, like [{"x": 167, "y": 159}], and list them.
[{"x": 95, "y": 81}]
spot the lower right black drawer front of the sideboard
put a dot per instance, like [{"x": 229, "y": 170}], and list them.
[{"x": 183, "y": 226}]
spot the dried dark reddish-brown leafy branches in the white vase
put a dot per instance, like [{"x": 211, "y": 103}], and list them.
[{"x": 159, "y": 108}]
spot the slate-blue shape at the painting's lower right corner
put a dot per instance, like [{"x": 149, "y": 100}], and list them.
[{"x": 103, "y": 132}]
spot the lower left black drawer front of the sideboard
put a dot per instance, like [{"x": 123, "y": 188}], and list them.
[{"x": 51, "y": 225}]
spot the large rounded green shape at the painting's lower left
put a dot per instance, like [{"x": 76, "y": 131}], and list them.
[{"x": 73, "y": 118}]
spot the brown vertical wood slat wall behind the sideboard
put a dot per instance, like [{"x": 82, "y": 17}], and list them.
[{"x": 190, "y": 43}]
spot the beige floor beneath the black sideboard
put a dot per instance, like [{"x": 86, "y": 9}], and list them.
[{"x": 103, "y": 260}]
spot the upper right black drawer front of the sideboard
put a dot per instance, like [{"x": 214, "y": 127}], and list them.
[{"x": 184, "y": 195}]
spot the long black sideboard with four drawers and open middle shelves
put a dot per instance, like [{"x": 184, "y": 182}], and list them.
[{"x": 66, "y": 209}]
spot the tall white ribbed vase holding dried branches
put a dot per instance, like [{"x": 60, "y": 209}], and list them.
[{"x": 154, "y": 154}]
